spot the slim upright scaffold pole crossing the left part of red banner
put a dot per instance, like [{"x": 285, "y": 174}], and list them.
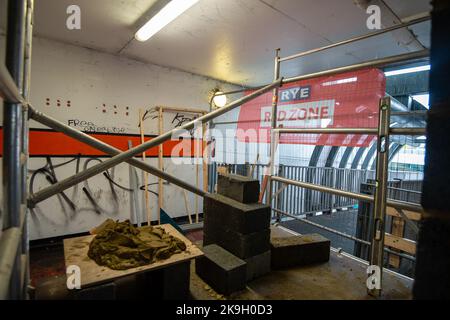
[{"x": 272, "y": 131}]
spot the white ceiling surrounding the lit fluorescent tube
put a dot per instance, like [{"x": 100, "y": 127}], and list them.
[{"x": 232, "y": 40}]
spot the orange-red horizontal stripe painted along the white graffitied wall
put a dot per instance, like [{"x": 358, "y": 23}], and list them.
[{"x": 51, "y": 143}]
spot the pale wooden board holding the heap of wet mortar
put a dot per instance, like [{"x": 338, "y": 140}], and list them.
[{"x": 76, "y": 249}]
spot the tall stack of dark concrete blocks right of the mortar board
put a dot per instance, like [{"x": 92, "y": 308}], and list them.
[{"x": 236, "y": 222}]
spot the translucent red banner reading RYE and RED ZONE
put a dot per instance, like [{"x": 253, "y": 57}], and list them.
[{"x": 347, "y": 100}]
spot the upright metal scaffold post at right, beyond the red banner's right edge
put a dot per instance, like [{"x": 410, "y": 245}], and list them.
[{"x": 380, "y": 196}]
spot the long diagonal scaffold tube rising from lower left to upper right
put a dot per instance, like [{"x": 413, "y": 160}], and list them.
[{"x": 124, "y": 156}]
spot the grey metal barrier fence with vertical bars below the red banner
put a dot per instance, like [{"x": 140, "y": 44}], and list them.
[{"x": 300, "y": 201}]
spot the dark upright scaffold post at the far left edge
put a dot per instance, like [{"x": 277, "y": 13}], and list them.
[{"x": 13, "y": 158}]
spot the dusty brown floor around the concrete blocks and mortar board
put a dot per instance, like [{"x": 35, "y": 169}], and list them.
[{"x": 340, "y": 278}]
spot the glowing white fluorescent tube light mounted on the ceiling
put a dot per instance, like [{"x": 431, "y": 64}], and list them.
[{"x": 165, "y": 16}]
